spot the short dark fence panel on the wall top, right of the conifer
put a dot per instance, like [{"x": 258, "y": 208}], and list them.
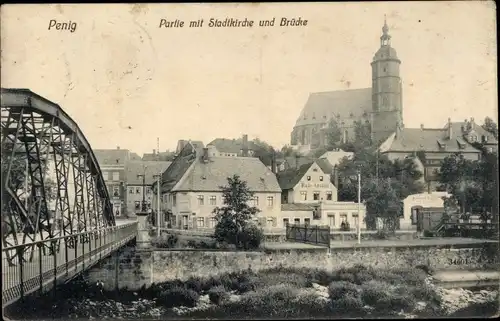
[{"x": 312, "y": 234}]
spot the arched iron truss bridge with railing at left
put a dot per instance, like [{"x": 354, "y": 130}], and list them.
[{"x": 57, "y": 218}]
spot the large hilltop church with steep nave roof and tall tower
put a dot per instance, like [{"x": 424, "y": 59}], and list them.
[{"x": 379, "y": 106}]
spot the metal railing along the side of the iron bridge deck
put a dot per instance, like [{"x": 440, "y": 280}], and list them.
[{"x": 42, "y": 264}]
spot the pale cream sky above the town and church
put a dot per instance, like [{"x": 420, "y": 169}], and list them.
[{"x": 126, "y": 81}]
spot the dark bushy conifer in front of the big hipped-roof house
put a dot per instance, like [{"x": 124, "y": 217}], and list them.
[{"x": 233, "y": 219}]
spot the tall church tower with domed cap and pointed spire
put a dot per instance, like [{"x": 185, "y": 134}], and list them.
[{"x": 387, "y": 103}]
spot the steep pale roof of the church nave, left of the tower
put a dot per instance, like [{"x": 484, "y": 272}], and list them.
[{"x": 322, "y": 106}]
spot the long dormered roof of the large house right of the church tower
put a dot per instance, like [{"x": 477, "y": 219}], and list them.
[{"x": 429, "y": 140}]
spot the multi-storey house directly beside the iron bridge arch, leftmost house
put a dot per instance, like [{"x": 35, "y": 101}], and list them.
[{"x": 112, "y": 164}]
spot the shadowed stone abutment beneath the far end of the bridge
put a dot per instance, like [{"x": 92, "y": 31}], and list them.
[{"x": 128, "y": 267}]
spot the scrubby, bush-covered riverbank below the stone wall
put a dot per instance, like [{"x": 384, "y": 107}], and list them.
[{"x": 356, "y": 292}]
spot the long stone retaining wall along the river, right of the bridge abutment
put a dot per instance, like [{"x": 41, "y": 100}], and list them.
[{"x": 170, "y": 265}]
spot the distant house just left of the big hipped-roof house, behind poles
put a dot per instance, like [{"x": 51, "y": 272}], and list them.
[{"x": 136, "y": 186}]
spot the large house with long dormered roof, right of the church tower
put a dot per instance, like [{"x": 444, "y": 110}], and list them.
[{"x": 433, "y": 145}]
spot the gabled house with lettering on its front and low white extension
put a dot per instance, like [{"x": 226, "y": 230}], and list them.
[{"x": 309, "y": 197}]
